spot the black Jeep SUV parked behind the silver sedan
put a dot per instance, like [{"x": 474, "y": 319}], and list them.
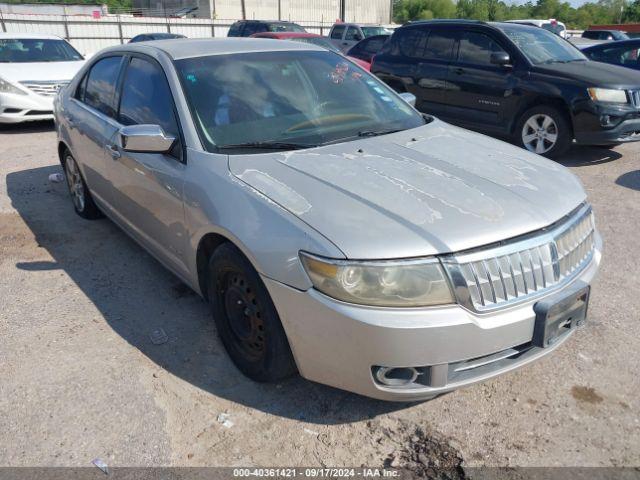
[{"x": 512, "y": 80}]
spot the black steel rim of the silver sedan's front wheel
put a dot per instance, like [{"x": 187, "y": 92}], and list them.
[{"x": 244, "y": 315}]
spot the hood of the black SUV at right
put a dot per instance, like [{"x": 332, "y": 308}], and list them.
[{"x": 593, "y": 74}]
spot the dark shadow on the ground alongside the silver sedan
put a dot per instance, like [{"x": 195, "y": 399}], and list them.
[{"x": 136, "y": 296}]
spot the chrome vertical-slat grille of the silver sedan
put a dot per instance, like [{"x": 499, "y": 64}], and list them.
[{"x": 486, "y": 279}]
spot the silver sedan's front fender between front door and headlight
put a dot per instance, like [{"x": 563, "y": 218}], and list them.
[{"x": 268, "y": 235}]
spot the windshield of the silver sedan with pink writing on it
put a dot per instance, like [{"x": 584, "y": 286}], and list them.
[{"x": 302, "y": 97}]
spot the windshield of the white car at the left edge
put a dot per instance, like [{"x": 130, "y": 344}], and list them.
[{"x": 16, "y": 50}]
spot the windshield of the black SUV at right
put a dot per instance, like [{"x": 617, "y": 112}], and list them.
[{"x": 541, "y": 46}]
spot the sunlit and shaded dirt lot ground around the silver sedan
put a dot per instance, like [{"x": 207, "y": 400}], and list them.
[{"x": 81, "y": 379}]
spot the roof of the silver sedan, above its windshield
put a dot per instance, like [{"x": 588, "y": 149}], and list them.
[{"x": 201, "y": 47}]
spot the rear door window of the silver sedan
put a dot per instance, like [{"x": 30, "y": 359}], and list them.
[{"x": 101, "y": 85}]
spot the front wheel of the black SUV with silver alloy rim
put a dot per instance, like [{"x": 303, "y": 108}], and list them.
[{"x": 544, "y": 130}]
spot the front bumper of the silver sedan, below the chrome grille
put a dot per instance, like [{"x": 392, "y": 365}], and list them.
[{"x": 337, "y": 344}]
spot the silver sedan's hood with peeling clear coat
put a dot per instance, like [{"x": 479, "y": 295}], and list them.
[{"x": 433, "y": 189}]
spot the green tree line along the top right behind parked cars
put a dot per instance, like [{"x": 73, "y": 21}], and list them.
[{"x": 590, "y": 13}]
